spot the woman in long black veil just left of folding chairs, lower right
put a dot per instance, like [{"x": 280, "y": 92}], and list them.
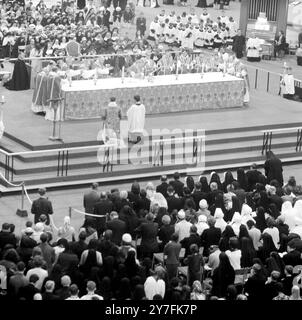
[{"x": 223, "y": 276}]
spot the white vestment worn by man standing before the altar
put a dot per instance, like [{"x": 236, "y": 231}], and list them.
[{"x": 136, "y": 119}]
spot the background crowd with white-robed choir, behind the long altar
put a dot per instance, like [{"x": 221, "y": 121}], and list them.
[{"x": 41, "y": 31}]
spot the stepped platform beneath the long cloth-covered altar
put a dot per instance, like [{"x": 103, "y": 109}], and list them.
[{"x": 233, "y": 139}]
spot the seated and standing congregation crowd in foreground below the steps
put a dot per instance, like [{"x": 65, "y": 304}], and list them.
[{"x": 136, "y": 244}]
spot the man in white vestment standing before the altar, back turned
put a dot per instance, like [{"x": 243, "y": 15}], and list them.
[{"x": 136, "y": 120}]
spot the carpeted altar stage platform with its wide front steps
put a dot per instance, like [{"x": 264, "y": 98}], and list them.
[{"x": 233, "y": 139}]
